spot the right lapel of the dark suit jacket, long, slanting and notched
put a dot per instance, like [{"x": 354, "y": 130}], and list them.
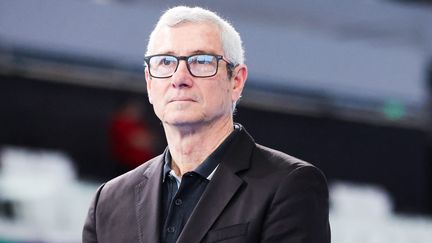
[{"x": 223, "y": 186}]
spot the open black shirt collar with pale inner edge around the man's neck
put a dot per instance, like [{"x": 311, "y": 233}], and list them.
[{"x": 208, "y": 167}]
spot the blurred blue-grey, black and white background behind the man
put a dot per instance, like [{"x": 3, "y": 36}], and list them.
[{"x": 343, "y": 84}]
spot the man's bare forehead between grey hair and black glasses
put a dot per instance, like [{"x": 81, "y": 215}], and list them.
[{"x": 188, "y": 38}]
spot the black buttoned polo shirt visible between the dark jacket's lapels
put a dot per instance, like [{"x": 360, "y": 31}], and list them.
[{"x": 178, "y": 202}]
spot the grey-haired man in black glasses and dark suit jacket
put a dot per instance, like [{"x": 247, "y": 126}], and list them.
[{"x": 213, "y": 183}]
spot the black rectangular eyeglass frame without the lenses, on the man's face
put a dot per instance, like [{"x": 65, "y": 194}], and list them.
[{"x": 230, "y": 65}]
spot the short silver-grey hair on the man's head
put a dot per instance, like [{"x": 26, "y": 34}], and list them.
[{"x": 230, "y": 38}]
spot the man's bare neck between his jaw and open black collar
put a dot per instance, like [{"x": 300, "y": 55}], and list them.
[{"x": 190, "y": 145}]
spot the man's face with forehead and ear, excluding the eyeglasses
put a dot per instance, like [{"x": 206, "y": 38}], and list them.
[{"x": 182, "y": 99}]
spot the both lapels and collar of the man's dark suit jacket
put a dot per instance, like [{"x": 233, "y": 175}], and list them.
[{"x": 223, "y": 186}]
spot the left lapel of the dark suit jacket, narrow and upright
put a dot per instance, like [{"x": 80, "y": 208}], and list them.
[{"x": 147, "y": 198}]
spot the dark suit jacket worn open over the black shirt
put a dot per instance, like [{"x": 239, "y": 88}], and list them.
[{"x": 256, "y": 195}]
